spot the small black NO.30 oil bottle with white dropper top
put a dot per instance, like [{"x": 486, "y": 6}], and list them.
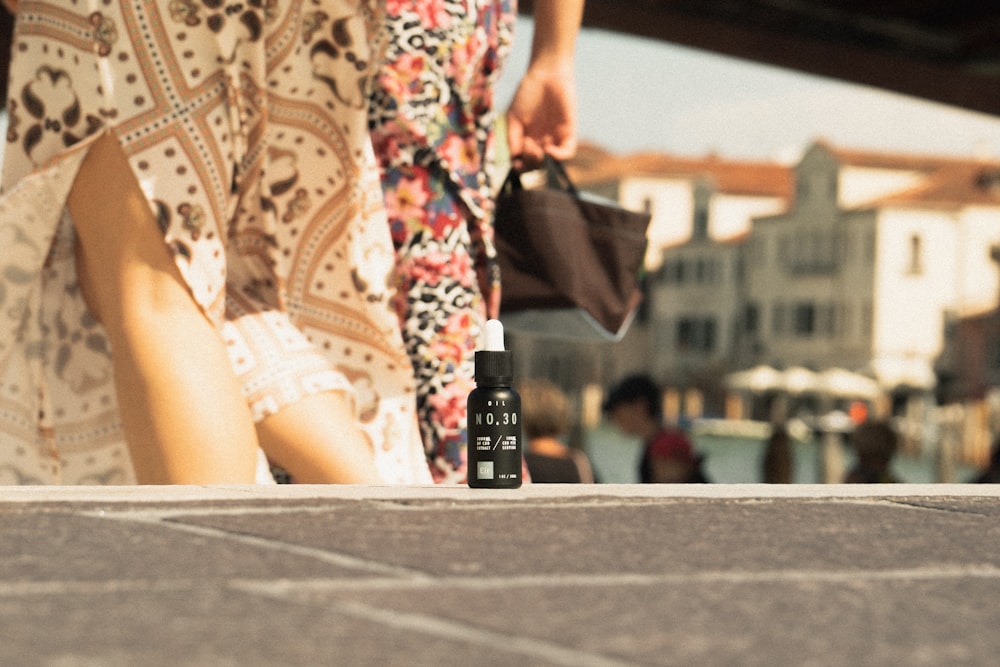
[{"x": 494, "y": 419}]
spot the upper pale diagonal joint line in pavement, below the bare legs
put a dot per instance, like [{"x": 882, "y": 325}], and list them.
[{"x": 322, "y": 555}]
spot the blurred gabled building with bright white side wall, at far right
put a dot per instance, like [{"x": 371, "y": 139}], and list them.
[{"x": 873, "y": 256}]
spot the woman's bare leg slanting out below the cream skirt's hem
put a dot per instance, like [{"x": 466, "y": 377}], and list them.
[{"x": 317, "y": 441}]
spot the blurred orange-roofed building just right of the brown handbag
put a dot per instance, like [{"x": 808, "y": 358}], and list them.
[{"x": 701, "y": 215}]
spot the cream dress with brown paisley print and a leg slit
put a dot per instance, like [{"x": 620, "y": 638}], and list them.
[{"x": 244, "y": 122}]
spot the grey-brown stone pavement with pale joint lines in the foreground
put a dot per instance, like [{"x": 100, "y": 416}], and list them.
[{"x": 546, "y": 575}]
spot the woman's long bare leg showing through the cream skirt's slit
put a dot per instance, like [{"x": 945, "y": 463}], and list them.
[{"x": 183, "y": 412}]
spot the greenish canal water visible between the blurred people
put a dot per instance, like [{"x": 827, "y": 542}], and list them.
[{"x": 737, "y": 460}]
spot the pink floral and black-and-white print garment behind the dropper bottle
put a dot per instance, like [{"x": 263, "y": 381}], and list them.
[{"x": 432, "y": 121}]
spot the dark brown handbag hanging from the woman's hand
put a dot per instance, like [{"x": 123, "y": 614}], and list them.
[{"x": 570, "y": 263}]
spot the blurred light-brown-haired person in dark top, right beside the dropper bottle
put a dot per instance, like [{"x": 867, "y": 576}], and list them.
[{"x": 545, "y": 415}]
